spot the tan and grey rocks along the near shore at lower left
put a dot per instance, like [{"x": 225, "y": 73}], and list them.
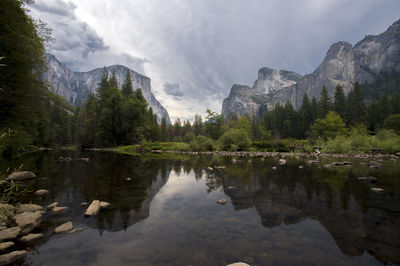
[{"x": 22, "y": 226}]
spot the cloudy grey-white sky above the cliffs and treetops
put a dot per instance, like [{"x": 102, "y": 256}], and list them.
[{"x": 194, "y": 51}]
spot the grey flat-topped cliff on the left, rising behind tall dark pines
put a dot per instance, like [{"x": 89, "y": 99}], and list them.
[{"x": 75, "y": 86}]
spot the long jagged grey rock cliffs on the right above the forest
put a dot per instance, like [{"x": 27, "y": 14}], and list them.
[{"x": 343, "y": 64}]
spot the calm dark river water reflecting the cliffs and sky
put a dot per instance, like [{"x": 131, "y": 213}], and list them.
[{"x": 168, "y": 215}]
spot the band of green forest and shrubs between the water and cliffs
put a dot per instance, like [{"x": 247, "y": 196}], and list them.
[{"x": 32, "y": 116}]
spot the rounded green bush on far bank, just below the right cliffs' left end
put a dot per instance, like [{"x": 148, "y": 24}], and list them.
[{"x": 237, "y": 137}]
